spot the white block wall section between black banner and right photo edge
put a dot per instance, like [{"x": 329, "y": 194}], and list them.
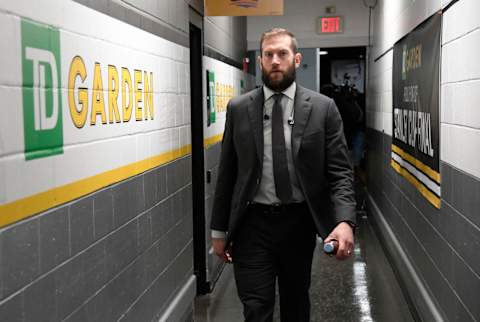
[{"x": 460, "y": 87}]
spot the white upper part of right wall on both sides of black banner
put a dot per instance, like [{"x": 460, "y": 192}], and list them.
[{"x": 460, "y": 74}]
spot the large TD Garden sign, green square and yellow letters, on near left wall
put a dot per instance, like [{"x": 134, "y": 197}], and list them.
[{"x": 123, "y": 96}]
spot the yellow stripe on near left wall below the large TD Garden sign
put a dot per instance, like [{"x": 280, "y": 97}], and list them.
[{"x": 29, "y": 206}]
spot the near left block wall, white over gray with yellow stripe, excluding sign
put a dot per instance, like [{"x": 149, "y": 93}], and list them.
[{"x": 122, "y": 248}]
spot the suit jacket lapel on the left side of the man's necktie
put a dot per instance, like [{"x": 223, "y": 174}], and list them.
[{"x": 255, "y": 114}]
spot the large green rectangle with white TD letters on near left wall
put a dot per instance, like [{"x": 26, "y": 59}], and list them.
[{"x": 42, "y": 100}]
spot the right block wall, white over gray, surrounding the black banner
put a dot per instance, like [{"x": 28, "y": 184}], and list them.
[{"x": 434, "y": 250}]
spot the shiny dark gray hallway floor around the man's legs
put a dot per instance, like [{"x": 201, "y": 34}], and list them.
[{"x": 363, "y": 288}]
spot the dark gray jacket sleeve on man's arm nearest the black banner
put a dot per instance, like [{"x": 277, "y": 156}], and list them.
[{"x": 338, "y": 168}]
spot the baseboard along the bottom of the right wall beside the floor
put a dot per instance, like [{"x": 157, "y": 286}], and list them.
[{"x": 420, "y": 301}]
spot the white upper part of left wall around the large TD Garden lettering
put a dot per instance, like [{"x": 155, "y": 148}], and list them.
[{"x": 96, "y": 149}]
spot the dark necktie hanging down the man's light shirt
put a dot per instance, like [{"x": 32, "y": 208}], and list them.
[{"x": 279, "y": 154}]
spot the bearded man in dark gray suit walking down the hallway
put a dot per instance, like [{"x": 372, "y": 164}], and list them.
[{"x": 284, "y": 176}]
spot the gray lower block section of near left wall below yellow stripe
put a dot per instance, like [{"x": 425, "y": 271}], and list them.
[{"x": 121, "y": 253}]
